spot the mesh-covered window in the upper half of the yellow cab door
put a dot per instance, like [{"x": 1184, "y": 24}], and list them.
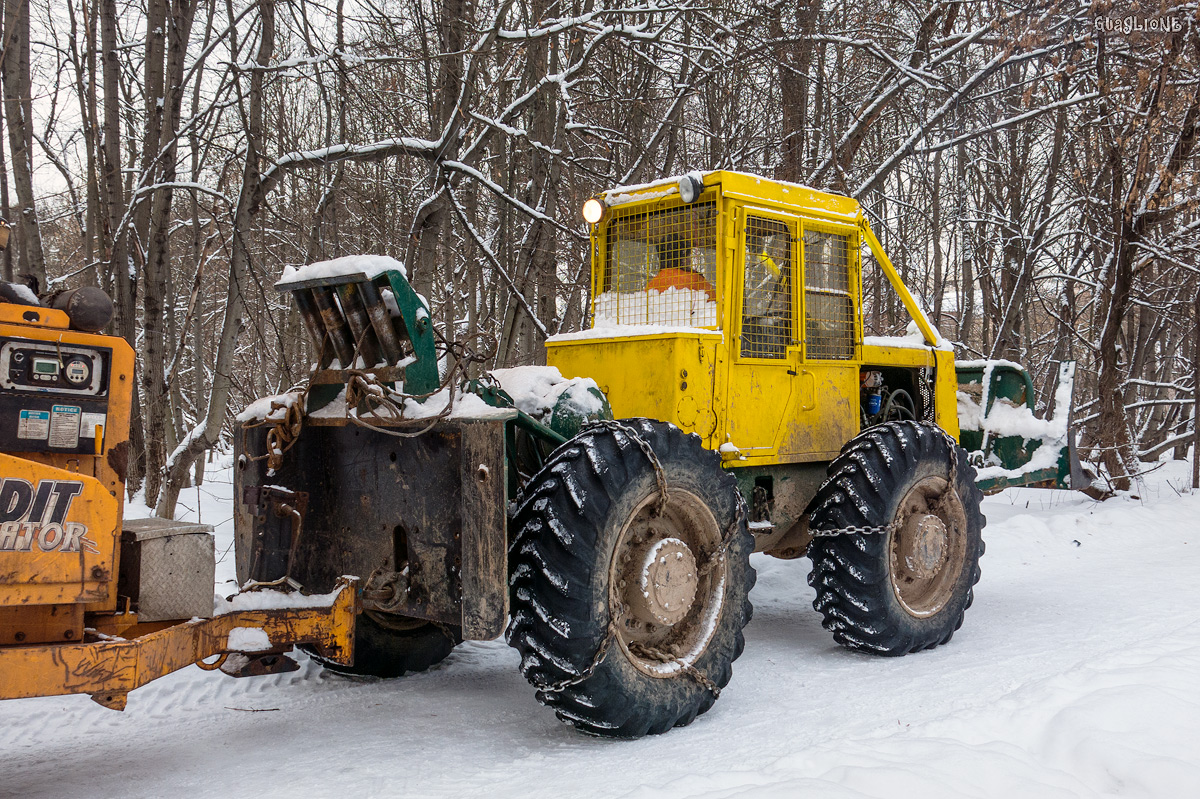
[{"x": 767, "y": 290}]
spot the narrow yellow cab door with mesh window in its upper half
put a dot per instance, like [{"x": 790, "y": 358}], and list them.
[{"x": 766, "y": 349}]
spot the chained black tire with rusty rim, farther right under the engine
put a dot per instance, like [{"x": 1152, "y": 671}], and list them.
[{"x": 909, "y": 588}]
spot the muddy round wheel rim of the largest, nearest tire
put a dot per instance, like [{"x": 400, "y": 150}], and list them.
[{"x": 667, "y": 591}]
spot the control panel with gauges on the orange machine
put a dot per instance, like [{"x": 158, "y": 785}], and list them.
[{"x": 49, "y": 368}]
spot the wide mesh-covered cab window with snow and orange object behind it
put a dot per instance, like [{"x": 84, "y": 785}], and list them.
[{"x": 661, "y": 268}]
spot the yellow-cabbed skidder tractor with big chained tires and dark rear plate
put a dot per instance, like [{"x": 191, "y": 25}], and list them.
[{"x": 602, "y": 512}]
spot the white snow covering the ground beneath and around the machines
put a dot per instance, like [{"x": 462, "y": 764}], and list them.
[{"x": 1076, "y": 675}]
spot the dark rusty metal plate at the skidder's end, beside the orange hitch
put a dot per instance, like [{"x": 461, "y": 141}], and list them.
[{"x": 380, "y": 502}]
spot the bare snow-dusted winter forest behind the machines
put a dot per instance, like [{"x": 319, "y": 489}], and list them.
[{"x": 1030, "y": 167}]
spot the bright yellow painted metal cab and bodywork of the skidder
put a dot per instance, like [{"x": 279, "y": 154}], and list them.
[{"x": 800, "y": 404}]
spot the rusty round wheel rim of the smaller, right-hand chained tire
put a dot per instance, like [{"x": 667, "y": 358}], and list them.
[{"x": 928, "y": 548}]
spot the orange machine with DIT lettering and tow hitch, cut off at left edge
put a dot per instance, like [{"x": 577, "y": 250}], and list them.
[{"x": 89, "y": 605}]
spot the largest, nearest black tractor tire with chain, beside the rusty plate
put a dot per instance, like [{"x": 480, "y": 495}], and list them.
[{"x": 609, "y": 657}]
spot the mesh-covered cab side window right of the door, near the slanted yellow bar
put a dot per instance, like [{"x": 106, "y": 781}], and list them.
[{"x": 829, "y": 301}]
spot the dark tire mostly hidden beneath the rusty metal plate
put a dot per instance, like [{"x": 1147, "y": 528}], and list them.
[{"x": 381, "y": 651}]
